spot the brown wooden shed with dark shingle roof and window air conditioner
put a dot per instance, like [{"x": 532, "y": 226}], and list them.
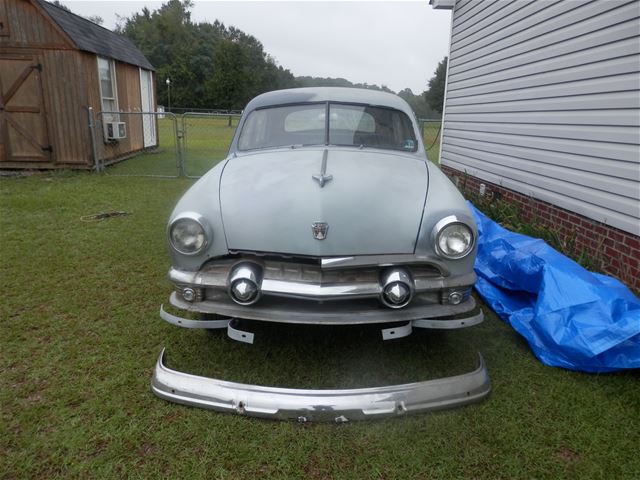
[{"x": 53, "y": 66}]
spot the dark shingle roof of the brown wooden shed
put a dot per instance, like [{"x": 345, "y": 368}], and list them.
[{"x": 93, "y": 38}]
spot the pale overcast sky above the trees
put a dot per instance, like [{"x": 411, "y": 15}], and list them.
[{"x": 394, "y": 43}]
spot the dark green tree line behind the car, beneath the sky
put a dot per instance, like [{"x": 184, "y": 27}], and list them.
[{"x": 211, "y": 65}]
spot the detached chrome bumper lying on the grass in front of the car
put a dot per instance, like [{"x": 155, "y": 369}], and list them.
[{"x": 320, "y": 405}]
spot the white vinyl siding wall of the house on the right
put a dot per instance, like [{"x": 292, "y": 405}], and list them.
[{"x": 543, "y": 97}]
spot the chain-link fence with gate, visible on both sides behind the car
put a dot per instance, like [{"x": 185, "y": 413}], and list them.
[{"x": 170, "y": 145}]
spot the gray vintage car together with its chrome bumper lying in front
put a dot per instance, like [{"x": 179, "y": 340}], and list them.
[{"x": 326, "y": 211}]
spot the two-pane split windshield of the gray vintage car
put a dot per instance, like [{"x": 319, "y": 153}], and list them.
[{"x": 347, "y": 125}]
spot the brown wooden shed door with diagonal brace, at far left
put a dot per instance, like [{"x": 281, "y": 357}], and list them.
[{"x": 23, "y": 125}]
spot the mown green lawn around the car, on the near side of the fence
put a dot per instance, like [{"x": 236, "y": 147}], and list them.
[{"x": 81, "y": 334}]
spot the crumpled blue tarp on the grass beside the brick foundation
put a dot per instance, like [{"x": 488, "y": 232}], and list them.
[{"x": 572, "y": 318}]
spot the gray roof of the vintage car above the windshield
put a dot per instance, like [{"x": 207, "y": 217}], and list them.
[{"x": 330, "y": 94}]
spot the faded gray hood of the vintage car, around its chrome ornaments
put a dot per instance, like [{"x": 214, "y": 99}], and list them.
[{"x": 372, "y": 205}]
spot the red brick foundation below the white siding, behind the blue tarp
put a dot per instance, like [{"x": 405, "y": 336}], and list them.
[{"x": 618, "y": 251}]
